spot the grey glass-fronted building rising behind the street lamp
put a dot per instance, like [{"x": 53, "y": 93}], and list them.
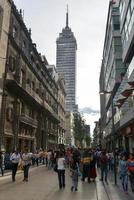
[{"x": 112, "y": 73}]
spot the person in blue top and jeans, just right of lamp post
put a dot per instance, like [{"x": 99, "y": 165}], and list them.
[{"x": 123, "y": 173}]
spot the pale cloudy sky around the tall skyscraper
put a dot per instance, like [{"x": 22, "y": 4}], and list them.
[{"x": 87, "y": 19}]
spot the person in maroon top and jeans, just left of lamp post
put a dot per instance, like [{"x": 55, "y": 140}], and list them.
[{"x": 104, "y": 166}]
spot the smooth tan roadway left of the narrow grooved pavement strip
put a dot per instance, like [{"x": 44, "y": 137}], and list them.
[{"x": 43, "y": 185}]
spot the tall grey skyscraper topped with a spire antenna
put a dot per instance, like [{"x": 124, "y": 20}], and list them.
[{"x": 66, "y": 63}]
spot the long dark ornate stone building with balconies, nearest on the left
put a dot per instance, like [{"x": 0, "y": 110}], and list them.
[{"x": 29, "y": 100}]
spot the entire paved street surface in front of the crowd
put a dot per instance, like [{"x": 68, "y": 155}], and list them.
[{"x": 43, "y": 185}]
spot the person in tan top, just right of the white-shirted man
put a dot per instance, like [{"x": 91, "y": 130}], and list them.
[{"x": 26, "y": 159}]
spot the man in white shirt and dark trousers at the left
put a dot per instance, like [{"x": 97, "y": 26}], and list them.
[{"x": 15, "y": 158}]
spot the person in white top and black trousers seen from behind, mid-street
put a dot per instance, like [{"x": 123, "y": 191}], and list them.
[{"x": 61, "y": 170}]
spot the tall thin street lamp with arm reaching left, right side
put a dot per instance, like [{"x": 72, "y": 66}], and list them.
[{"x": 113, "y": 131}]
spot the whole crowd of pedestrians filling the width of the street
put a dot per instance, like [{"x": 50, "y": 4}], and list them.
[{"x": 80, "y": 162}]
